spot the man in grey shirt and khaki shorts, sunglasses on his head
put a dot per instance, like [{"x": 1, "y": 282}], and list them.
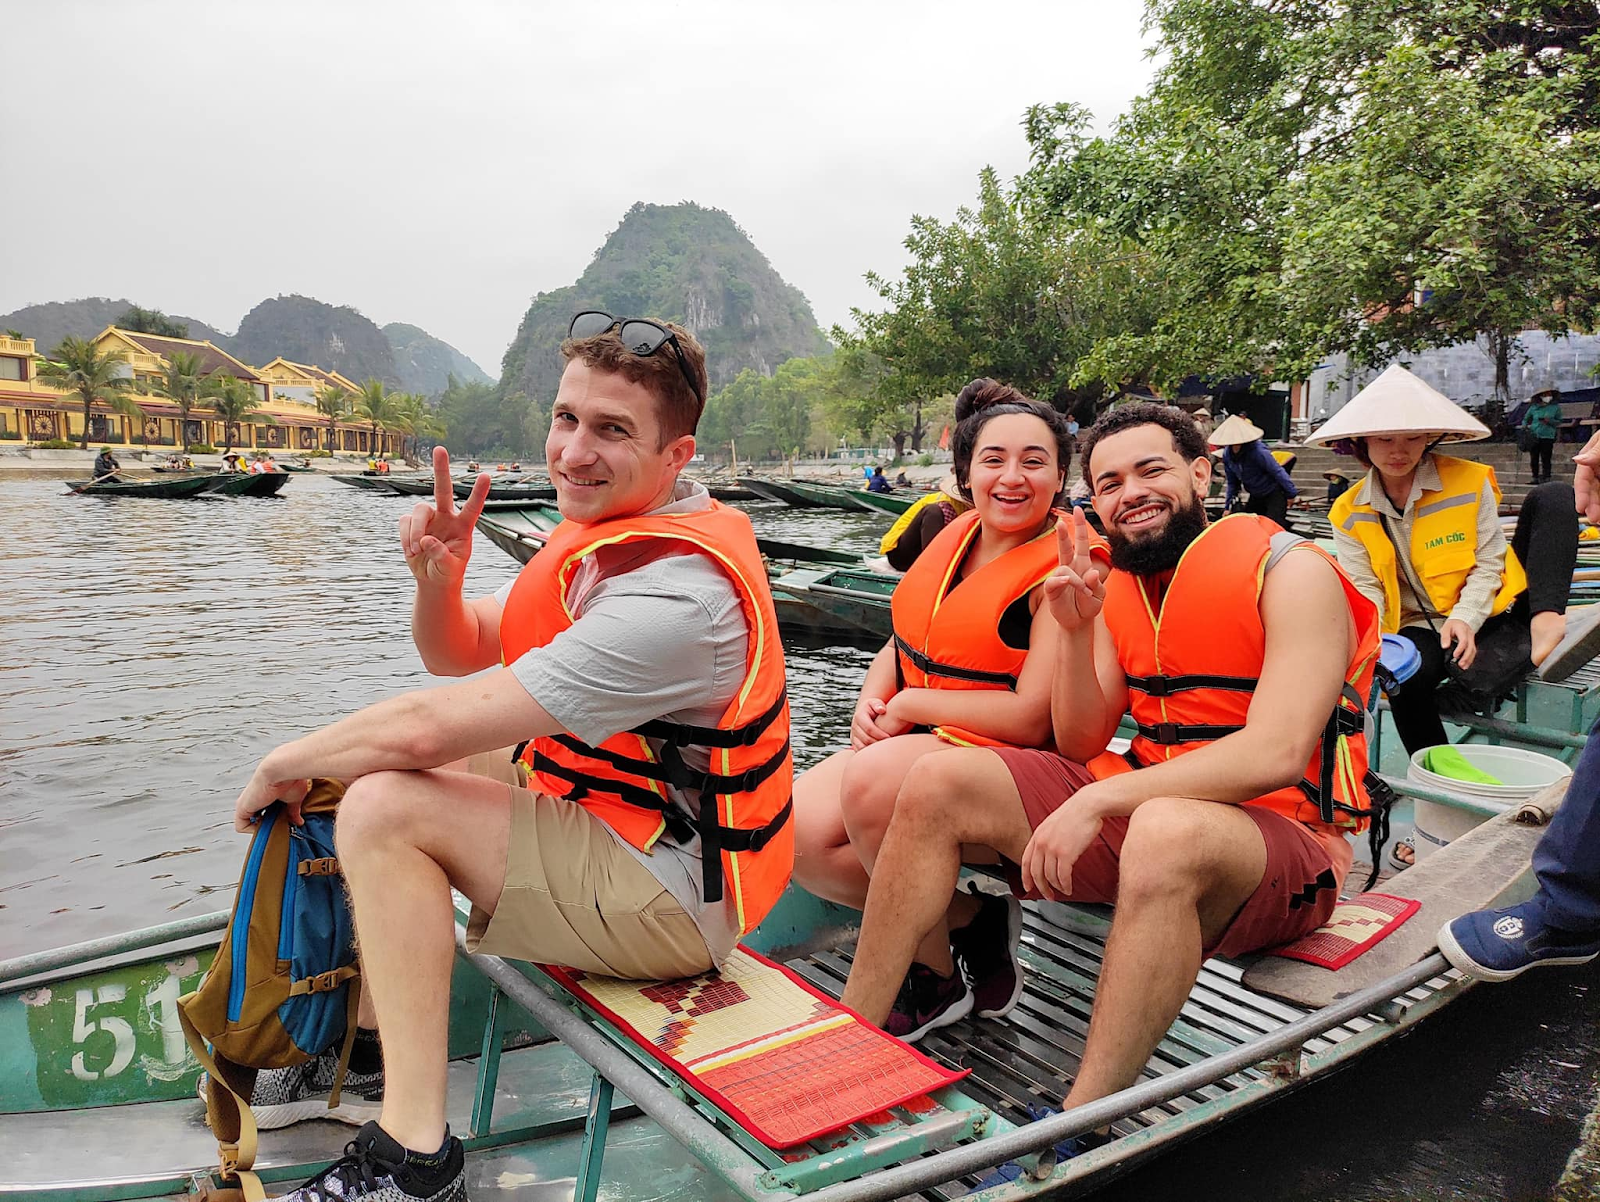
[{"x": 649, "y": 631}]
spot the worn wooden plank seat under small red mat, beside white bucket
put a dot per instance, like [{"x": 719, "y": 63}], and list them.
[{"x": 1487, "y": 867}]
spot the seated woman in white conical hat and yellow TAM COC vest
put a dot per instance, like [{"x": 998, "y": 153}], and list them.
[{"x": 1457, "y": 588}]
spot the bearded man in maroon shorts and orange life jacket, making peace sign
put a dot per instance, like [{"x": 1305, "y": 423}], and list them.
[{"x": 1246, "y": 657}]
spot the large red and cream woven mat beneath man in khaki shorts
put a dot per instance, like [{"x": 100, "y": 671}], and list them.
[{"x": 783, "y": 1060}]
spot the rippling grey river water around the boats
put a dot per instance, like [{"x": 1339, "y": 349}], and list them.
[{"x": 151, "y": 652}]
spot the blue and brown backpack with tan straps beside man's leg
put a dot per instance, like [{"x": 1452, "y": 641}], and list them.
[{"x": 286, "y": 985}]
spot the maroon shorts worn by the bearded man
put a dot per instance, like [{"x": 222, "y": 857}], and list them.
[{"x": 1297, "y": 892}]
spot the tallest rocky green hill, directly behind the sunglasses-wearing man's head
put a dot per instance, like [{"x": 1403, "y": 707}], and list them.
[{"x": 684, "y": 263}]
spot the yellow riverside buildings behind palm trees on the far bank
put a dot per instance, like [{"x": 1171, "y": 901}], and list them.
[{"x": 34, "y": 412}]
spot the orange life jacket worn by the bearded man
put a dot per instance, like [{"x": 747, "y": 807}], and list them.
[{"x": 1194, "y": 659}]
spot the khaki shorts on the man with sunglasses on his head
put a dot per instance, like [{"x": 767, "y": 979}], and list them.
[{"x": 575, "y": 897}]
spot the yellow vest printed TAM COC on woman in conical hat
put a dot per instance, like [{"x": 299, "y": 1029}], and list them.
[{"x": 1444, "y": 539}]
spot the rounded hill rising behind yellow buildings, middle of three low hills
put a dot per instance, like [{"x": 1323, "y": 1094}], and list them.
[{"x": 305, "y": 331}]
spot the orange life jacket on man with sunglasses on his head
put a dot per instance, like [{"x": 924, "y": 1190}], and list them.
[{"x": 745, "y": 801}]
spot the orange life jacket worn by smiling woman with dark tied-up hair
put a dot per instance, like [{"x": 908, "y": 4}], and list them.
[{"x": 950, "y": 638}]
